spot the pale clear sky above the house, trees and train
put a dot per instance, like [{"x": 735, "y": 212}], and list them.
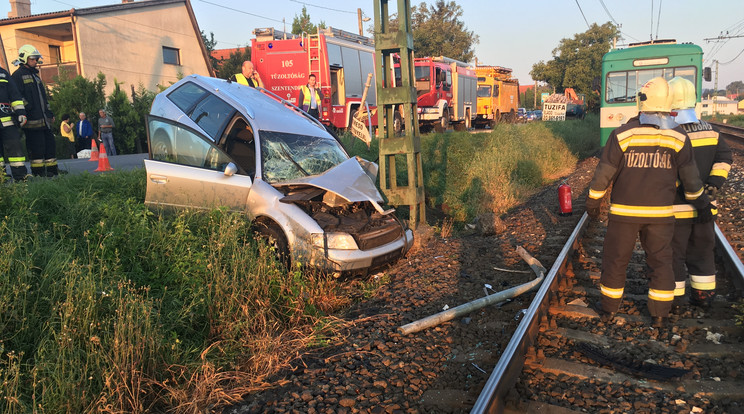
[{"x": 512, "y": 34}]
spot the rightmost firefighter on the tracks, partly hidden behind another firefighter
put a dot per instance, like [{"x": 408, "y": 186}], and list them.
[{"x": 694, "y": 231}]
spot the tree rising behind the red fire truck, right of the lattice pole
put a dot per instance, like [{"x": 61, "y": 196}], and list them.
[{"x": 438, "y": 31}]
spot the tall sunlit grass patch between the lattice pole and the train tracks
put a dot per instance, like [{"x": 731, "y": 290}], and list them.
[{"x": 469, "y": 174}]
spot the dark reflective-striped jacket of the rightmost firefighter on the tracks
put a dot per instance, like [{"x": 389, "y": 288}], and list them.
[{"x": 713, "y": 158}]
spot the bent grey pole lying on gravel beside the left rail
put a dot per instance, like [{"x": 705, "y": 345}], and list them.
[{"x": 466, "y": 308}]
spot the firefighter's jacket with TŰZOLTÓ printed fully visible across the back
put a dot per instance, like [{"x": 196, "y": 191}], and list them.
[{"x": 642, "y": 163}]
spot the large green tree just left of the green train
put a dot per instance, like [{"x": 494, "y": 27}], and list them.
[{"x": 577, "y": 62}]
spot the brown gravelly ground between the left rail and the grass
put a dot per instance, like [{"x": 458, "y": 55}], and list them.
[{"x": 376, "y": 369}]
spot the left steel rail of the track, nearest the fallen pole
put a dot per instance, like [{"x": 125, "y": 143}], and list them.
[{"x": 507, "y": 370}]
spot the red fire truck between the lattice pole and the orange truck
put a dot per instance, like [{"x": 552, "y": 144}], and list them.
[{"x": 447, "y": 92}]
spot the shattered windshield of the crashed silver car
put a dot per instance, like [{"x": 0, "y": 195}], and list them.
[{"x": 290, "y": 156}]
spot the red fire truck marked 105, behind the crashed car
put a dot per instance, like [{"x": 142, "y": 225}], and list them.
[{"x": 340, "y": 60}]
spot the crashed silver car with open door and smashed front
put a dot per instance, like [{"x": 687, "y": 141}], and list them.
[{"x": 216, "y": 143}]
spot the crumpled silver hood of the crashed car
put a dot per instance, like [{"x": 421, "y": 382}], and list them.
[{"x": 348, "y": 180}]
